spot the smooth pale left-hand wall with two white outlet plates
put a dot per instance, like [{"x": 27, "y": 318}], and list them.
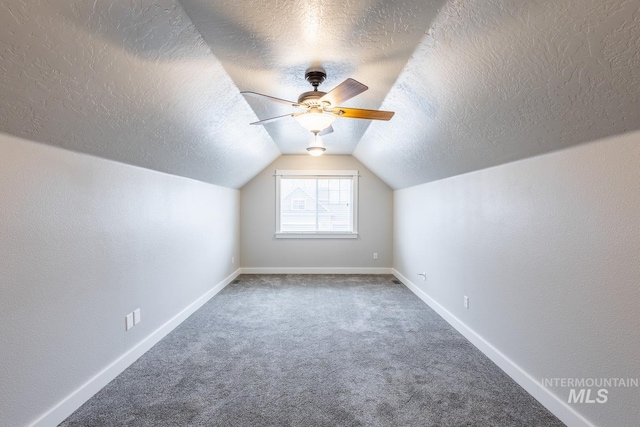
[{"x": 83, "y": 242}]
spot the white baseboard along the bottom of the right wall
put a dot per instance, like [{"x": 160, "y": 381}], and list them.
[{"x": 554, "y": 404}]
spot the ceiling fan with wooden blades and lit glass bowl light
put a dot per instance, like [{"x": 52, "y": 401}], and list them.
[{"x": 322, "y": 108}]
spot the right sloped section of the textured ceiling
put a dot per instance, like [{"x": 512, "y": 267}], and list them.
[{"x": 497, "y": 81}]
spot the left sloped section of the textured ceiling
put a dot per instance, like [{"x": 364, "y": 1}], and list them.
[{"x": 128, "y": 81}]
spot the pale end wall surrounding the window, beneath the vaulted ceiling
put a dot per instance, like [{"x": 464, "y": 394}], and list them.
[{"x": 262, "y": 252}]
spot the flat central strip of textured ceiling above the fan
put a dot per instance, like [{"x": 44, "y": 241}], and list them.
[{"x": 266, "y": 47}]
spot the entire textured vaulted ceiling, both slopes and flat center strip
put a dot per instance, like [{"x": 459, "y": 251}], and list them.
[{"x": 473, "y": 83}]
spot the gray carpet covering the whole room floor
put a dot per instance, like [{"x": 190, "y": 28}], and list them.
[{"x": 313, "y": 350}]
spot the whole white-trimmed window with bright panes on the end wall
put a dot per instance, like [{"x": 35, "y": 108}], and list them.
[{"x": 316, "y": 204}]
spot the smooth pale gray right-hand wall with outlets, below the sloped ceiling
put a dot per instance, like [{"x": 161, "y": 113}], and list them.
[{"x": 548, "y": 250}]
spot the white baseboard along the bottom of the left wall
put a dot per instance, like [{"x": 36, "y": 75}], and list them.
[{"x": 69, "y": 404}]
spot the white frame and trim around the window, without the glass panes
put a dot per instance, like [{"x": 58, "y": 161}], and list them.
[{"x": 351, "y": 174}]
